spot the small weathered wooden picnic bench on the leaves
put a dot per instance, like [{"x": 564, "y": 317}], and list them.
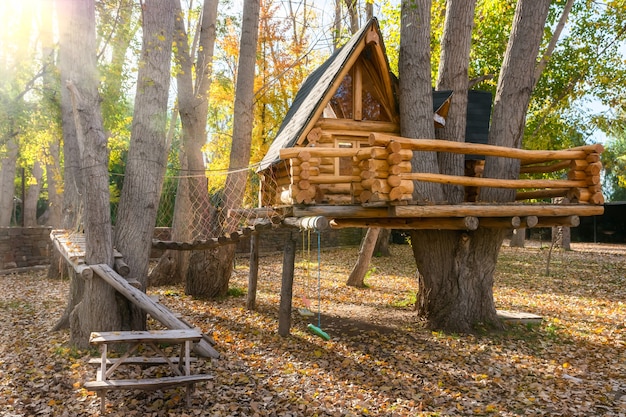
[{"x": 180, "y": 366}]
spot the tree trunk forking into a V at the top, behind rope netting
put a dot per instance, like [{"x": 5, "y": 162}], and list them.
[{"x": 192, "y": 207}]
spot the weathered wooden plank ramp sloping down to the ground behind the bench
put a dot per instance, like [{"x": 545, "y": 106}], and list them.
[{"x": 156, "y": 310}]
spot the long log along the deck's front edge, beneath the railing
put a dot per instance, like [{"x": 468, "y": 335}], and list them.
[{"x": 495, "y": 210}]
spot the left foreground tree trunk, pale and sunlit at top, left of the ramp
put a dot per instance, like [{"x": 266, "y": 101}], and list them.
[{"x": 98, "y": 310}]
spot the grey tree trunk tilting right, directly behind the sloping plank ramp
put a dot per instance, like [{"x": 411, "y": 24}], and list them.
[{"x": 147, "y": 156}]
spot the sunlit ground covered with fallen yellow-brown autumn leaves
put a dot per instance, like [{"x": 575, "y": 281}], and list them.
[{"x": 380, "y": 361}]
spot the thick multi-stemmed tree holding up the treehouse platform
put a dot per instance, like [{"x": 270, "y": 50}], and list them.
[{"x": 457, "y": 268}]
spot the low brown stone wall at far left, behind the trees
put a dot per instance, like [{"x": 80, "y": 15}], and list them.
[{"x": 24, "y": 247}]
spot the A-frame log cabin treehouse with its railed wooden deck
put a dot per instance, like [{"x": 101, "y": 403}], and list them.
[{"x": 338, "y": 154}]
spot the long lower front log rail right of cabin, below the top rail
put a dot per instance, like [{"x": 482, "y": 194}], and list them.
[{"x": 492, "y": 182}]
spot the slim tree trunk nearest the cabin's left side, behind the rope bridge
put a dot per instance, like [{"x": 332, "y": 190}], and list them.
[{"x": 235, "y": 186}]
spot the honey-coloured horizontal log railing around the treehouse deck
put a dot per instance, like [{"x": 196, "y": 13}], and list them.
[{"x": 382, "y": 171}]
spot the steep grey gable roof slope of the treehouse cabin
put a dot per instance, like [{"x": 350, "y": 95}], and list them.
[{"x": 313, "y": 93}]
